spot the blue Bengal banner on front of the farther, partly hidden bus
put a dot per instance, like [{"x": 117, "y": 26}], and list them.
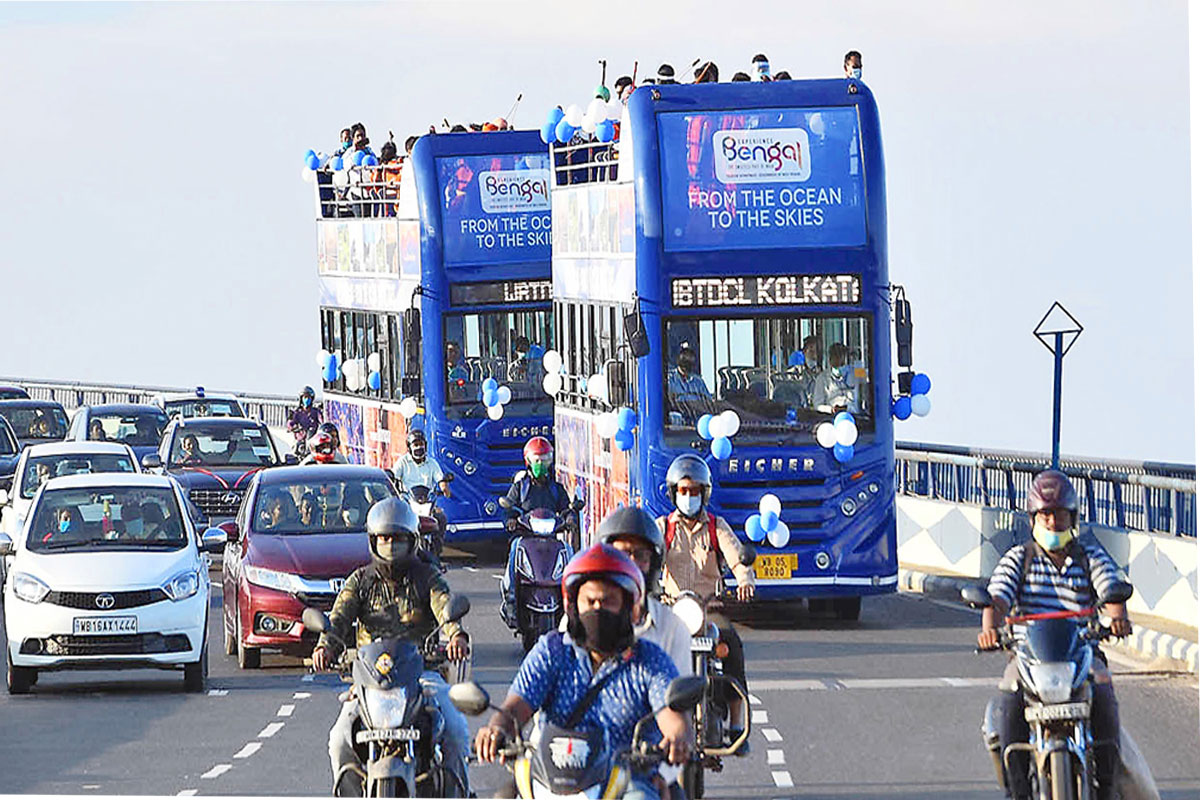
[{"x": 495, "y": 209}]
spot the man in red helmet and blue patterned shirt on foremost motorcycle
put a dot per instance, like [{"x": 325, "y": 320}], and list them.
[{"x": 603, "y": 597}]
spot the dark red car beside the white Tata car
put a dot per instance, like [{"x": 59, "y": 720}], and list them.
[{"x": 299, "y": 534}]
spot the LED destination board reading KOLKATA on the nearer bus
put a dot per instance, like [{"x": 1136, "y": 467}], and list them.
[{"x": 767, "y": 291}]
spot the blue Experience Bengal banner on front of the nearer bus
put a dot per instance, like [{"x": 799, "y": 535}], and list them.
[{"x": 749, "y": 179}]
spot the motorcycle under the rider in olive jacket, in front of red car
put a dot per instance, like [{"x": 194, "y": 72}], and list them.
[{"x": 399, "y": 725}]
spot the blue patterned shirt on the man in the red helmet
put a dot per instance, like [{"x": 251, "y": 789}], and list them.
[{"x": 556, "y": 676}]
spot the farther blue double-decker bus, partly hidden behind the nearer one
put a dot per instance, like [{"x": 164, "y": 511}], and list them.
[{"x": 451, "y": 286}]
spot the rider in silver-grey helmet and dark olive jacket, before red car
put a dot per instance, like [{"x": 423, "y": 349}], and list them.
[{"x": 397, "y": 596}]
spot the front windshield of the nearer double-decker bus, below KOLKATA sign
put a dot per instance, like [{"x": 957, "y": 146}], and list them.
[{"x": 777, "y": 372}]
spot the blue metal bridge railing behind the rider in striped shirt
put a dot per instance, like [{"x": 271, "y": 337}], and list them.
[{"x": 1149, "y": 497}]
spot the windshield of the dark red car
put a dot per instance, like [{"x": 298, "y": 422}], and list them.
[{"x": 320, "y": 507}]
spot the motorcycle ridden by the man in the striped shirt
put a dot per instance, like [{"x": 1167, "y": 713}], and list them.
[{"x": 1054, "y": 657}]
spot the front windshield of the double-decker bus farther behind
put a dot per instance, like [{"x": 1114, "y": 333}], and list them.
[{"x": 505, "y": 345}]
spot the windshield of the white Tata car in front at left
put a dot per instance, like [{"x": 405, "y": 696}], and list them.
[{"x": 107, "y": 518}]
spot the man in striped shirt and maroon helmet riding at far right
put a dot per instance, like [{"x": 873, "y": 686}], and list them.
[{"x": 1055, "y": 573}]
